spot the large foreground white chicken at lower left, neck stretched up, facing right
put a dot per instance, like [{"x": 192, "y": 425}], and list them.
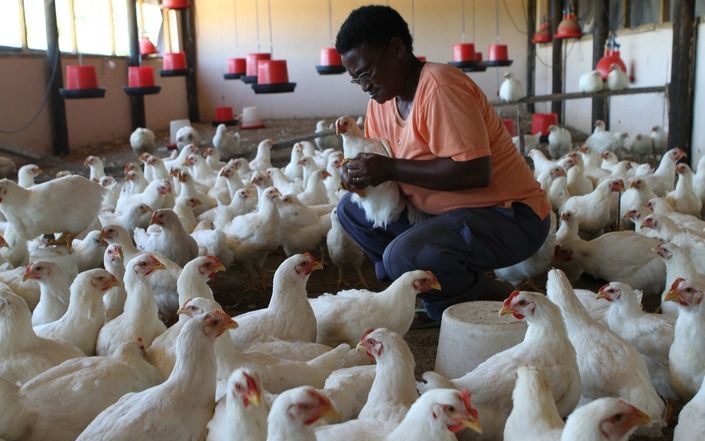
[{"x": 178, "y": 409}]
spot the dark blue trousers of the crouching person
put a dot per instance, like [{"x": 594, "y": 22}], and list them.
[{"x": 457, "y": 246}]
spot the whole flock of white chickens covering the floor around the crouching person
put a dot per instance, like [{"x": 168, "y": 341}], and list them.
[{"x": 110, "y": 331}]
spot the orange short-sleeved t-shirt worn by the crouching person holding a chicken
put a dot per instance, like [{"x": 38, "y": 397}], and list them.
[{"x": 451, "y": 118}]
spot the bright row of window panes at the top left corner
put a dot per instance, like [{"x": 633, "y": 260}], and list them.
[{"x": 86, "y": 26}]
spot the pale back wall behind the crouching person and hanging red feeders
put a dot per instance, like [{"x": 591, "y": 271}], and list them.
[{"x": 300, "y": 30}]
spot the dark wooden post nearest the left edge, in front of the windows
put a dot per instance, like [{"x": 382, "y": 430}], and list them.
[{"x": 57, "y": 107}]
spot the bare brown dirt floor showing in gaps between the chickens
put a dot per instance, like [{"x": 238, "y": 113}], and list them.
[{"x": 228, "y": 286}]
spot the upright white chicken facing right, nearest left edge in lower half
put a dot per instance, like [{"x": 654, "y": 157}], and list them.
[{"x": 85, "y": 315}]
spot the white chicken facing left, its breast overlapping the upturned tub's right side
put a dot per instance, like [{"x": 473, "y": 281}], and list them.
[{"x": 545, "y": 346}]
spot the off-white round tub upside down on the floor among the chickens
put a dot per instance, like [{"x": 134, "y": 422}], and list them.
[{"x": 471, "y": 332}]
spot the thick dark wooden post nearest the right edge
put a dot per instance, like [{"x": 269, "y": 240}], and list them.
[{"x": 681, "y": 91}]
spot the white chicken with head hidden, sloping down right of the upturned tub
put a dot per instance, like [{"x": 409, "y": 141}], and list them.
[{"x": 609, "y": 366}]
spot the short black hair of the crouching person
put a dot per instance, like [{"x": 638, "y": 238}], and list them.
[{"x": 373, "y": 25}]
